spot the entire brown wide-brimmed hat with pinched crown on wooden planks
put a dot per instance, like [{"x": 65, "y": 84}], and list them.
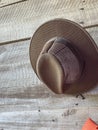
[{"x": 64, "y": 57}]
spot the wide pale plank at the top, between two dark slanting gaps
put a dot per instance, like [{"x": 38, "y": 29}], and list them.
[{"x": 21, "y": 20}]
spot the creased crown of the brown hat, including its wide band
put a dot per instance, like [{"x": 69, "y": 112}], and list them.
[{"x": 68, "y": 59}]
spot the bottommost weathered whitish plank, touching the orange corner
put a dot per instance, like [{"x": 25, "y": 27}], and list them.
[{"x": 72, "y": 119}]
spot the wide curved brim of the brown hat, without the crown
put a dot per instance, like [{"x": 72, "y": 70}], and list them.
[{"x": 80, "y": 39}]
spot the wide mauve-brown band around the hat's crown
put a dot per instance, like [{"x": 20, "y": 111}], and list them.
[{"x": 69, "y": 59}]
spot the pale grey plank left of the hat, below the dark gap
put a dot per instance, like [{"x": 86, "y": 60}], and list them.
[{"x": 13, "y": 70}]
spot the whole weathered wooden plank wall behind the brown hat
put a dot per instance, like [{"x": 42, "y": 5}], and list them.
[{"x": 25, "y": 103}]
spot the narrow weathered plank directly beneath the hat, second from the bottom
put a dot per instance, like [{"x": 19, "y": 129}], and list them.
[{"x": 46, "y": 102}]
